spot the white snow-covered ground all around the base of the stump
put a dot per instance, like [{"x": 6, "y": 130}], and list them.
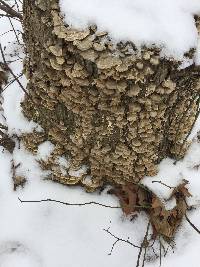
[{"x": 54, "y": 235}]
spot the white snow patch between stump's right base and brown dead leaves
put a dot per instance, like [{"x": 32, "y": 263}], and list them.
[{"x": 172, "y": 174}]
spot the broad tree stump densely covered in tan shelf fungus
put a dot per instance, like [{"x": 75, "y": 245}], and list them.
[{"x": 111, "y": 107}]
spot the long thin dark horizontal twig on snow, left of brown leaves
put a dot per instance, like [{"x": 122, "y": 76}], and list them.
[{"x": 69, "y": 204}]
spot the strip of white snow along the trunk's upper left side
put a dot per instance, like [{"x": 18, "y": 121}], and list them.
[{"x": 14, "y": 95}]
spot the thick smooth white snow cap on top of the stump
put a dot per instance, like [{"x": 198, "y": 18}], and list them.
[{"x": 166, "y": 23}]
